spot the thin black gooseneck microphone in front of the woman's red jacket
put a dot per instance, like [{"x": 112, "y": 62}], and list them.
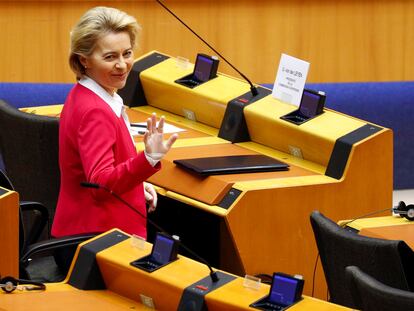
[{"x": 213, "y": 275}]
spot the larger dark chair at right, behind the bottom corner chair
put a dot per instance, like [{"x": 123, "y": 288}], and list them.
[{"x": 387, "y": 260}]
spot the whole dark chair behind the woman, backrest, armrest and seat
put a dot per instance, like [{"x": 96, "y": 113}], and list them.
[{"x": 29, "y": 146}]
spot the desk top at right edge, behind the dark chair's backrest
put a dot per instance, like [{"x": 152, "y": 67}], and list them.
[{"x": 387, "y": 227}]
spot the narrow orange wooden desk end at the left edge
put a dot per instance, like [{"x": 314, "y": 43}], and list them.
[{"x": 9, "y": 233}]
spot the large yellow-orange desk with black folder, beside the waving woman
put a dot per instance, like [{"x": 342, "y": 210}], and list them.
[{"x": 256, "y": 223}]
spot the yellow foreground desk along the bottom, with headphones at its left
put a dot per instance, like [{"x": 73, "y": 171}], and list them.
[{"x": 124, "y": 284}]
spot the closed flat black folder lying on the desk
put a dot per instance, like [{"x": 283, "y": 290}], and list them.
[{"x": 232, "y": 164}]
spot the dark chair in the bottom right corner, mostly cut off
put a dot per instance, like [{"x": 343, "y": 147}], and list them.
[{"x": 373, "y": 295}]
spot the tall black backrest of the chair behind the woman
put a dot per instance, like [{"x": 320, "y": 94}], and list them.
[{"x": 29, "y": 147}]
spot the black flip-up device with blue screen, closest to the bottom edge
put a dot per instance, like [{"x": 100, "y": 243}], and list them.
[{"x": 285, "y": 291}]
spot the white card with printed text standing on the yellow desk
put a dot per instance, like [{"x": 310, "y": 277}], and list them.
[{"x": 290, "y": 79}]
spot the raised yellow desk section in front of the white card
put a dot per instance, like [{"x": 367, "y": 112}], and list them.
[{"x": 315, "y": 138}]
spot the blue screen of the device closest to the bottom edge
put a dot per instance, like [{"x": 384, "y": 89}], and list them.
[{"x": 283, "y": 290}]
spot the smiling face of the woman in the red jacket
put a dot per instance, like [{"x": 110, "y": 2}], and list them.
[{"x": 111, "y": 61}]
